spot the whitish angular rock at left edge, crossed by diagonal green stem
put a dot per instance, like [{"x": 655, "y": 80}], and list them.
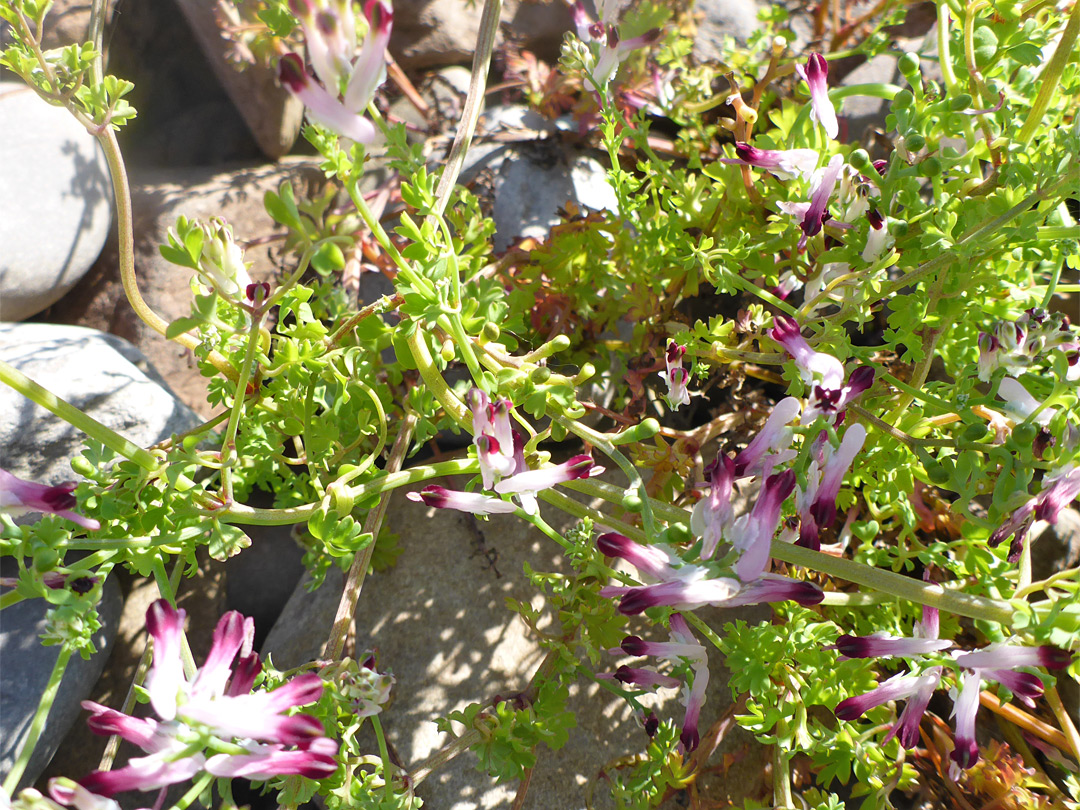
[{"x": 103, "y": 375}]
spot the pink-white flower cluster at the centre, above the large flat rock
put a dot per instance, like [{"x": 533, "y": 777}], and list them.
[{"x": 501, "y": 452}]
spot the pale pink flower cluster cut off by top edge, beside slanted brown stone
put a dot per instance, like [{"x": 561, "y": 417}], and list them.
[{"x": 348, "y": 85}]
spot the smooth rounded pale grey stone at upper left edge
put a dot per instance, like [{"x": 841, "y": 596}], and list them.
[{"x": 56, "y": 202}]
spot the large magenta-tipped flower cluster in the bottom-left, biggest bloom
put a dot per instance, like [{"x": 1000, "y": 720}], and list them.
[{"x": 218, "y": 710}]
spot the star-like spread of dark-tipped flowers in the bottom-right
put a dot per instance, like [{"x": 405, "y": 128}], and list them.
[{"x": 997, "y": 663}]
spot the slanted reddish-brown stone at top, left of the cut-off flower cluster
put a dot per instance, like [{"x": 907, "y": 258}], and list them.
[{"x": 273, "y": 114}]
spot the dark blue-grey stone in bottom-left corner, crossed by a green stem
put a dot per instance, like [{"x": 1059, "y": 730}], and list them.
[{"x": 28, "y": 667}]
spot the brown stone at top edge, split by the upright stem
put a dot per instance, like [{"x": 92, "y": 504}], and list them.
[{"x": 437, "y": 33}]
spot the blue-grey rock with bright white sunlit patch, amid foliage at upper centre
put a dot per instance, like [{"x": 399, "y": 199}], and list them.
[{"x": 536, "y": 180}]
